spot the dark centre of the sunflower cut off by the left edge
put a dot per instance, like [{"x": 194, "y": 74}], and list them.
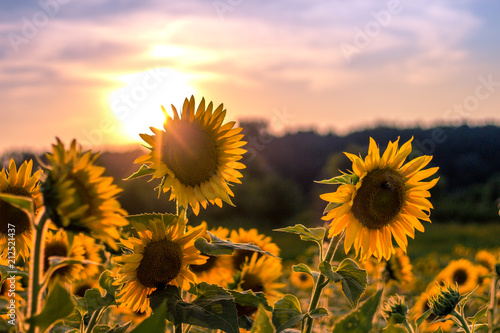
[{"x": 13, "y": 215}]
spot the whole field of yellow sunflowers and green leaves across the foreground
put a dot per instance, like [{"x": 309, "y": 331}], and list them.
[{"x": 74, "y": 260}]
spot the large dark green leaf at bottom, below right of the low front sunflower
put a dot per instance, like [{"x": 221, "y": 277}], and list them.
[{"x": 213, "y": 307}]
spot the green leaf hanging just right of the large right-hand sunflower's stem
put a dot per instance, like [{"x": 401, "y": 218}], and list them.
[{"x": 354, "y": 280}]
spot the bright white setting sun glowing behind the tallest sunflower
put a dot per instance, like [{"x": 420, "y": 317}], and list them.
[{"x": 137, "y": 105}]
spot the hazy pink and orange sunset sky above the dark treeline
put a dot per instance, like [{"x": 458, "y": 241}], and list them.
[{"x": 99, "y": 70}]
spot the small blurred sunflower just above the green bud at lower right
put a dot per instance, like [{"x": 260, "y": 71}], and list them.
[{"x": 462, "y": 272}]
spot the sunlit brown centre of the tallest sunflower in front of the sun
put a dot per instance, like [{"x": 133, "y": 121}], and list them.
[{"x": 190, "y": 152}]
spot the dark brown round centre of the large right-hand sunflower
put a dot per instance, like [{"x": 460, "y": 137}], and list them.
[{"x": 379, "y": 198}]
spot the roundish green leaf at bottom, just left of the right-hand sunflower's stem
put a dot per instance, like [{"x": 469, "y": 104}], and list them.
[{"x": 287, "y": 313}]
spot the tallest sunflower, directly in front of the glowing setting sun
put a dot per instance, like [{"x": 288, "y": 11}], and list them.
[{"x": 195, "y": 155}]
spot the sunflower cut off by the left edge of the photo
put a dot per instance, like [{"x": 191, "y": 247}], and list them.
[{"x": 18, "y": 182}]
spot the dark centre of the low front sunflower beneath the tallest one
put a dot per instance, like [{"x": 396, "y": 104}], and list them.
[{"x": 160, "y": 264}]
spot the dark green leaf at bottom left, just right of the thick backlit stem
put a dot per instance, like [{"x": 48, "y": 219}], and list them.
[{"x": 58, "y": 305}]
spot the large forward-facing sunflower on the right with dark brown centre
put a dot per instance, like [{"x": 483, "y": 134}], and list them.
[{"x": 383, "y": 198}]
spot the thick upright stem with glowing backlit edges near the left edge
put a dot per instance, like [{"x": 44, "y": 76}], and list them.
[{"x": 35, "y": 287}]
